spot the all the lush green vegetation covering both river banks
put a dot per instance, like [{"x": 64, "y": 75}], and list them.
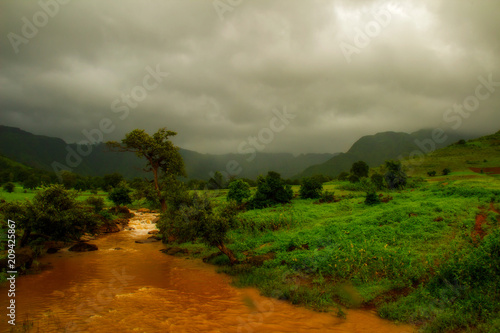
[{"x": 425, "y": 251}]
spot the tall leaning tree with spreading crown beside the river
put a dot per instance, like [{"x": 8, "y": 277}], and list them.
[{"x": 163, "y": 157}]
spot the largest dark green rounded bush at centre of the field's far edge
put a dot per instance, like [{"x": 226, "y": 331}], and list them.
[{"x": 271, "y": 190}]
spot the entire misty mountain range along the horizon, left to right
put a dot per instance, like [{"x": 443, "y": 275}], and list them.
[{"x": 41, "y": 152}]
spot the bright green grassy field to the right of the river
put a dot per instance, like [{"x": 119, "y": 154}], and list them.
[{"x": 418, "y": 258}]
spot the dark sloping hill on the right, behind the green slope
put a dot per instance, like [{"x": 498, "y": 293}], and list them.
[{"x": 376, "y": 149}]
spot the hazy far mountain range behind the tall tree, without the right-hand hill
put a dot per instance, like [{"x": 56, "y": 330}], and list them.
[{"x": 41, "y": 152}]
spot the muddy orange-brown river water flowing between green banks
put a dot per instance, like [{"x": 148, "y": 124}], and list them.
[{"x": 131, "y": 287}]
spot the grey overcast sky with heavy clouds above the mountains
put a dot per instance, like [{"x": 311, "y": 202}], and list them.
[{"x": 340, "y": 69}]
